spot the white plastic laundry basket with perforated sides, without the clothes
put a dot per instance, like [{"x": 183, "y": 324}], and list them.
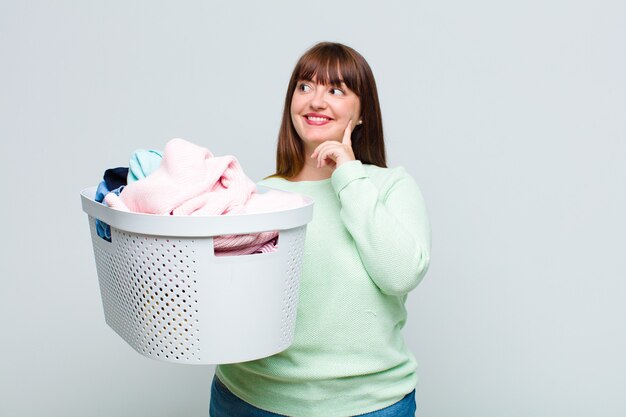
[{"x": 170, "y": 298}]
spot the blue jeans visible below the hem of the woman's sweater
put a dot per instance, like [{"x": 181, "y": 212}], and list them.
[{"x": 226, "y": 404}]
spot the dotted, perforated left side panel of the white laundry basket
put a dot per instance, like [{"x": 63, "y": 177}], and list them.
[{"x": 149, "y": 292}]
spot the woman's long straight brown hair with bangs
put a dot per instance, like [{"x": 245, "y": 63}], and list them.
[{"x": 332, "y": 63}]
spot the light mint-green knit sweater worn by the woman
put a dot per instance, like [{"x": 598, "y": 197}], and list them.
[{"x": 367, "y": 246}]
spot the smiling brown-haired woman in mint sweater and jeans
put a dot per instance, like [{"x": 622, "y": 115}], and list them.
[{"x": 367, "y": 246}]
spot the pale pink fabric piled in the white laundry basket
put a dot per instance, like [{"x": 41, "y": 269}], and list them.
[{"x": 191, "y": 181}]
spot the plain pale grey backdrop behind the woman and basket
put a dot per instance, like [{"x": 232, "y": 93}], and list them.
[{"x": 511, "y": 116}]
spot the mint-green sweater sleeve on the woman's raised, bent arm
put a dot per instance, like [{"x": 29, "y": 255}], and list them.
[{"x": 388, "y": 223}]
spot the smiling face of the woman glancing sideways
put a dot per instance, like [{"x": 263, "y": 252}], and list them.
[{"x": 321, "y": 112}]
